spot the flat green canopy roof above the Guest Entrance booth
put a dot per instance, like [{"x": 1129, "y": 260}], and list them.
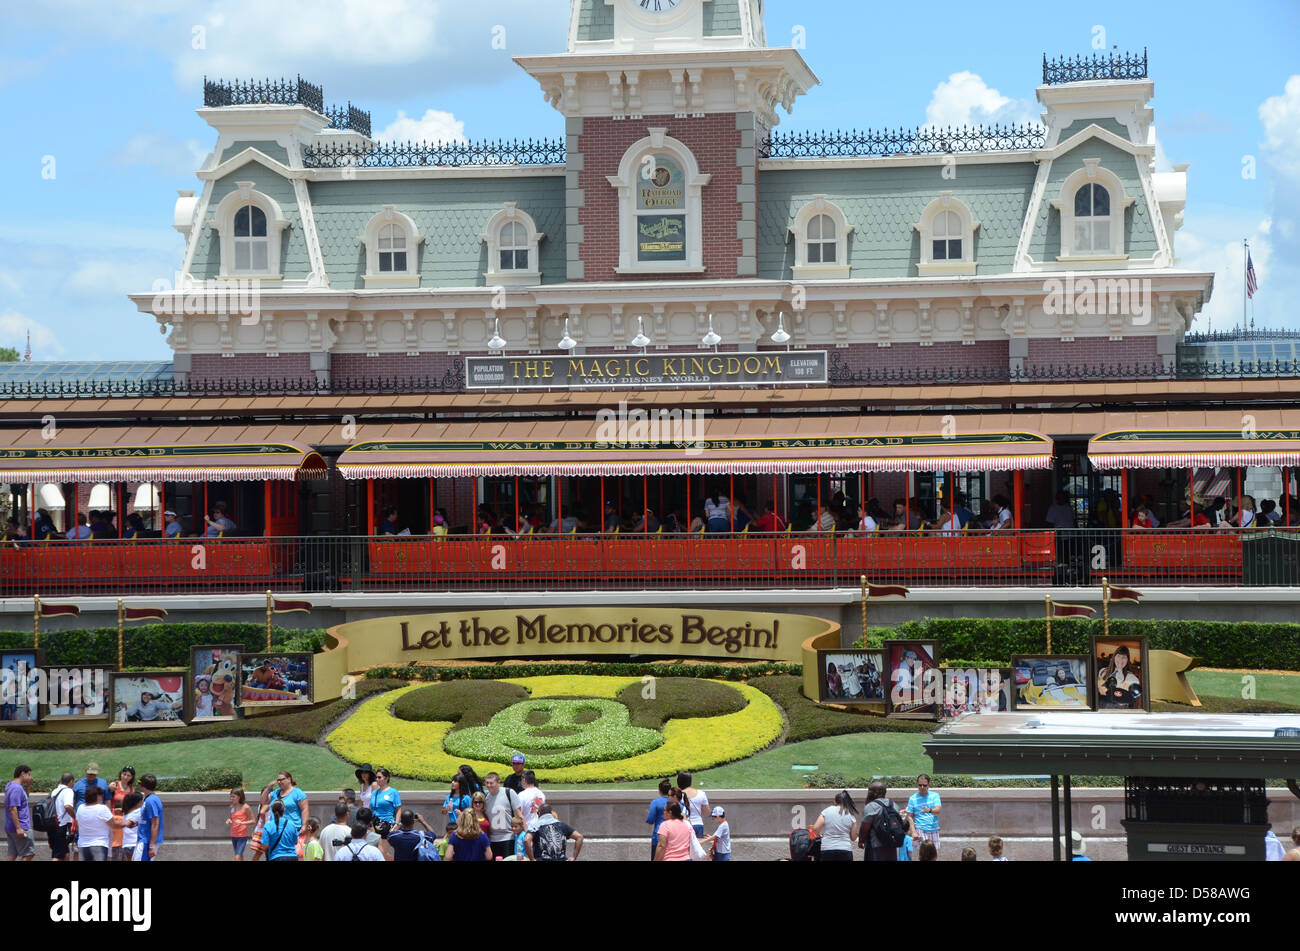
[{"x": 1098, "y": 744}]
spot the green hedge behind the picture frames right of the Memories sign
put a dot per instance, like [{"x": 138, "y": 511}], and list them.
[{"x": 1217, "y": 644}]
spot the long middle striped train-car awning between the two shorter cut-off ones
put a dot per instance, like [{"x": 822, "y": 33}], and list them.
[{"x": 674, "y": 446}]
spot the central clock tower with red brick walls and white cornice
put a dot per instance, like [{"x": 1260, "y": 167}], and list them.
[{"x": 666, "y": 106}]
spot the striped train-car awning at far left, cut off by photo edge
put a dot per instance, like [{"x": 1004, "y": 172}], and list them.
[{"x": 55, "y": 454}]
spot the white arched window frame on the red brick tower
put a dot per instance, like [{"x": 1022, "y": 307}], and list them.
[{"x": 626, "y": 183}]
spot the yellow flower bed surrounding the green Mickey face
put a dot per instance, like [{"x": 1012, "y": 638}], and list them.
[{"x": 372, "y": 735}]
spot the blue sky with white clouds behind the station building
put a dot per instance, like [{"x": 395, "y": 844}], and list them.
[{"x": 105, "y": 95}]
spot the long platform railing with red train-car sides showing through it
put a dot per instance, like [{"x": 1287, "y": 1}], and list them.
[{"x": 978, "y": 559}]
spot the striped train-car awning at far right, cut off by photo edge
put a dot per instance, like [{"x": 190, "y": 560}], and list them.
[{"x": 1158, "y": 449}]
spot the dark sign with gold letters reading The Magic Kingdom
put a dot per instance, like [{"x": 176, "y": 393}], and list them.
[{"x": 762, "y": 368}]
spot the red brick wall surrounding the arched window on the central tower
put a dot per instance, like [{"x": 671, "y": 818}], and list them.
[{"x": 713, "y": 140}]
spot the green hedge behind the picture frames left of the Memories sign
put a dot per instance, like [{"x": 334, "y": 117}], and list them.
[{"x": 151, "y": 646}]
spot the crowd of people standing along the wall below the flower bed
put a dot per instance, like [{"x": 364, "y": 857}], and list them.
[{"x": 486, "y": 819}]
